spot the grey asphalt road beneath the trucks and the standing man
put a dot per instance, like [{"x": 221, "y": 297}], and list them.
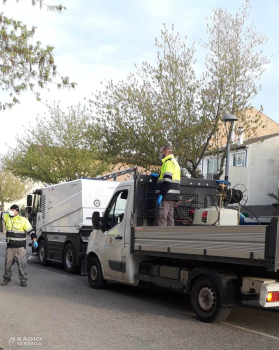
[{"x": 61, "y": 311}]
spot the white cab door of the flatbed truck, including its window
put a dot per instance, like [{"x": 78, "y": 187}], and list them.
[{"x": 115, "y": 222}]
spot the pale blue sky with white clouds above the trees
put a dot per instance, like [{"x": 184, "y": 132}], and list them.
[{"x": 97, "y": 41}]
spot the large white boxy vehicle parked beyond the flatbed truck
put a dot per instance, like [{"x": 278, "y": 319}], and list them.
[{"x": 61, "y": 215}]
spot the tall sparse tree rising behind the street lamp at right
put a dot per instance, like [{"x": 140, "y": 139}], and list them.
[{"x": 234, "y": 65}]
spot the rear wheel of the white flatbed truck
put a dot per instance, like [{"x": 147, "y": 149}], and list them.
[{"x": 206, "y": 301}]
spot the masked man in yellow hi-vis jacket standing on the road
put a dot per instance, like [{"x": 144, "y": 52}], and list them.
[{"x": 16, "y": 229}]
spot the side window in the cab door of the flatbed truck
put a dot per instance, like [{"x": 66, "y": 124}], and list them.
[{"x": 116, "y": 210}]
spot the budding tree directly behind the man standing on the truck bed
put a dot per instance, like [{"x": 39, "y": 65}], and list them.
[{"x": 156, "y": 105}]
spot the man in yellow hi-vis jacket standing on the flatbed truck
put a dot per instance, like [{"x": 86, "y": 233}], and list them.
[{"x": 168, "y": 187}]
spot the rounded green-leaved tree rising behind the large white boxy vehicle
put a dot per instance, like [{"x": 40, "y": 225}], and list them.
[{"x": 57, "y": 148}]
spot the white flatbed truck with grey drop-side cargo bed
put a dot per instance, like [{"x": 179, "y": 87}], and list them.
[{"x": 218, "y": 266}]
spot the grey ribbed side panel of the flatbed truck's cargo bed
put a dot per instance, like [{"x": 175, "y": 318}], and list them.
[{"x": 248, "y": 245}]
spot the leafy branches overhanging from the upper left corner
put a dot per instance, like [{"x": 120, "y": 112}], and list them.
[{"x": 25, "y": 65}]
